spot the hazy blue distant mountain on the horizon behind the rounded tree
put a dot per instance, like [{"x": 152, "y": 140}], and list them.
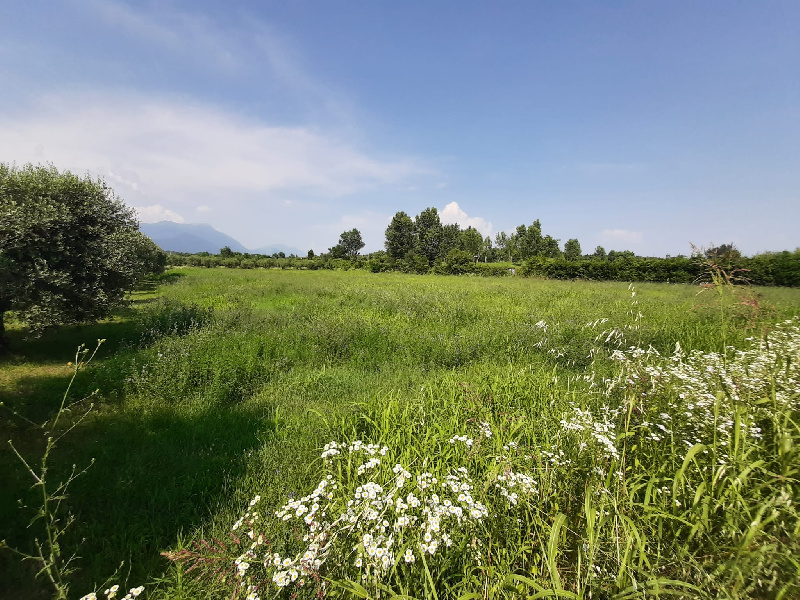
[{"x": 201, "y": 237}]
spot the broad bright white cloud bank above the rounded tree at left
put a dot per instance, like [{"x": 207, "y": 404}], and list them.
[{"x": 174, "y": 152}]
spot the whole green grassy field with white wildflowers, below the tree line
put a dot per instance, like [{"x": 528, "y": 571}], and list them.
[{"x": 588, "y": 469}]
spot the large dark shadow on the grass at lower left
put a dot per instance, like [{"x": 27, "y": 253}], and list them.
[{"x": 156, "y": 474}]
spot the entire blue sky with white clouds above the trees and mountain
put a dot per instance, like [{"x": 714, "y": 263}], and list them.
[{"x": 644, "y": 126}]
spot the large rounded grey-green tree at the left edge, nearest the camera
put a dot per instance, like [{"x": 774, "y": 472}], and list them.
[{"x": 69, "y": 248}]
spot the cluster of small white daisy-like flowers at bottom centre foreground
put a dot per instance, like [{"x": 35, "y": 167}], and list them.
[{"x": 374, "y": 525}]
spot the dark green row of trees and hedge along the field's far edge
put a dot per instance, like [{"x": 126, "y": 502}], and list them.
[{"x": 425, "y": 245}]
